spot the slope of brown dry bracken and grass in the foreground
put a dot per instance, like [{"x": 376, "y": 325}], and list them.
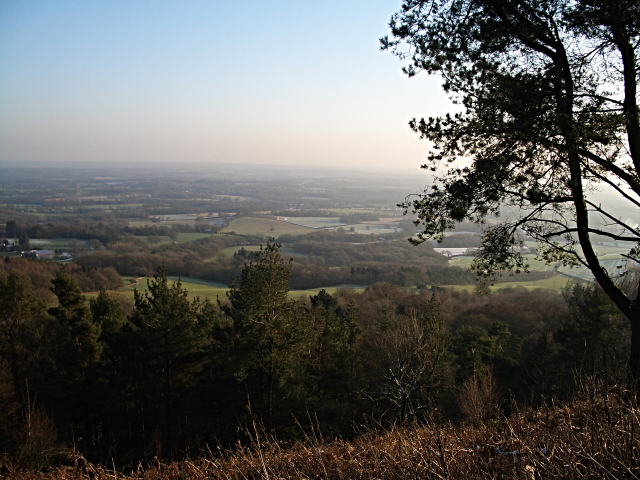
[{"x": 595, "y": 437}]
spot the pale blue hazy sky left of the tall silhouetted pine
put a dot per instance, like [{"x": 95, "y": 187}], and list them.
[{"x": 275, "y": 82}]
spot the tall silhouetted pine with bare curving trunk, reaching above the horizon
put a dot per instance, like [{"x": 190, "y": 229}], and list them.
[{"x": 550, "y": 113}]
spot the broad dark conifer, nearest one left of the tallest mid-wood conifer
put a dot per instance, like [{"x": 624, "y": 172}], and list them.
[{"x": 172, "y": 341}]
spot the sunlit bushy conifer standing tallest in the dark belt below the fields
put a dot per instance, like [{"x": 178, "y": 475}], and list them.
[{"x": 271, "y": 331}]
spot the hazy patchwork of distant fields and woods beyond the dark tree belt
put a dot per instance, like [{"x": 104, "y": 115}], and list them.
[{"x": 335, "y": 236}]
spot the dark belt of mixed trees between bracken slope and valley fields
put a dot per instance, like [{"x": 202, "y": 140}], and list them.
[{"x": 177, "y": 375}]
